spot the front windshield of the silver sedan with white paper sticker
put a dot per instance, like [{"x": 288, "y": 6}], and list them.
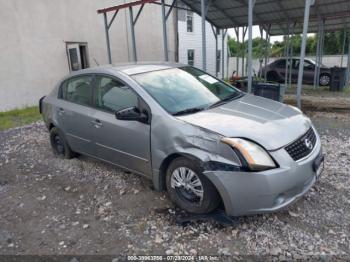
[{"x": 185, "y": 90}]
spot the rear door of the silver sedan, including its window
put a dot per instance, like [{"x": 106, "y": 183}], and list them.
[{"x": 74, "y": 113}]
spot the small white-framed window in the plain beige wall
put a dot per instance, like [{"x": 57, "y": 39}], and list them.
[{"x": 77, "y": 56}]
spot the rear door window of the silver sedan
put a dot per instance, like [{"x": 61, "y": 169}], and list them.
[{"x": 78, "y": 90}]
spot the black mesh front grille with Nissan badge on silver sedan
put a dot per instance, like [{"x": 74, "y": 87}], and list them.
[{"x": 303, "y": 146}]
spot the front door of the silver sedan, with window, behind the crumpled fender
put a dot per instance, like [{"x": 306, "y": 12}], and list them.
[{"x": 124, "y": 143}]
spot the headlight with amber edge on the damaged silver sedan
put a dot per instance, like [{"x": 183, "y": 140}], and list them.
[{"x": 257, "y": 158}]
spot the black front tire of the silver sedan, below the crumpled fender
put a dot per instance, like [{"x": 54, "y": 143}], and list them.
[{"x": 185, "y": 198}]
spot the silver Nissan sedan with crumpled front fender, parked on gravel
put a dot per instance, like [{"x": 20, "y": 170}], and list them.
[{"x": 197, "y": 137}]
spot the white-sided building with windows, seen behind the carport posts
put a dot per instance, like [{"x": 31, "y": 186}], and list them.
[{"x": 190, "y": 43}]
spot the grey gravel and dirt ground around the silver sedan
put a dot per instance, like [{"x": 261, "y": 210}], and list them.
[{"x": 83, "y": 206}]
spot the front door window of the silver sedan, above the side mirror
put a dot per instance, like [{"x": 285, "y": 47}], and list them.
[{"x": 112, "y": 95}]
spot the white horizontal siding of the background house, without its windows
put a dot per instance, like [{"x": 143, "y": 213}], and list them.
[{"x": 193, "y": 40}]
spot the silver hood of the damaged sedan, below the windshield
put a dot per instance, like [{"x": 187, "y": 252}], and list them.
[{"x": 269, "y": 123}]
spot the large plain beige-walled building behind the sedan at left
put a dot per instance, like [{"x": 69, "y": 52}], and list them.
[{"x": 41, "y": 41}]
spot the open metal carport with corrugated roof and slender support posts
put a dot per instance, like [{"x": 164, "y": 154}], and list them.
[{"x": 275, "y": 16}]
